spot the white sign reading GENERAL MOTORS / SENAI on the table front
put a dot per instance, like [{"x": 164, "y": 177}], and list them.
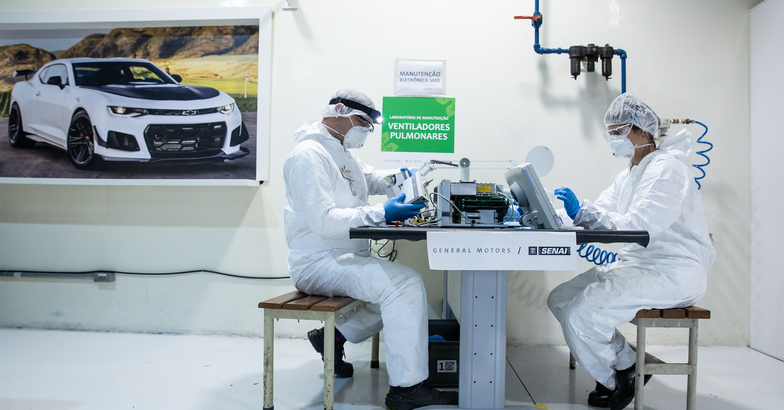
[{"x": 518, "y": 250}]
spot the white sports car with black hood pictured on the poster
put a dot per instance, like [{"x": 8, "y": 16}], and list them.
[{"x": 123, "y": 109}]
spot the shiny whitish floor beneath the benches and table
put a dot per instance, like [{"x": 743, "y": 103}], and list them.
[{"x": 48, "y": 370}]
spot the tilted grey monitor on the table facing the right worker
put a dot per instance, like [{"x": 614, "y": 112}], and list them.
[{"x": 536, "y": 209}]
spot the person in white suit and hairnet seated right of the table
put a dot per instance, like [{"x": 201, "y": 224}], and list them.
[{"x": 655, "y": 193}]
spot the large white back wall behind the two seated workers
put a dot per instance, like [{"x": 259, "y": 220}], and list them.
[{"x": 686, "y": 59}]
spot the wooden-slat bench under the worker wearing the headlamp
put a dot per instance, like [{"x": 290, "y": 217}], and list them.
[{"x": 301, "y": 306}]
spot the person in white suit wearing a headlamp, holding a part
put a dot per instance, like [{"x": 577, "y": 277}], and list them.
[{"x": 327, "y": 188}]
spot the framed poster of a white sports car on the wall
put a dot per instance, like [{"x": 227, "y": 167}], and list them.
[{"x": 116, "y": 101}]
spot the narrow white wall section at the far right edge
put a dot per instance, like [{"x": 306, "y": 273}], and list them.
[{"x": 767, "y": 282}]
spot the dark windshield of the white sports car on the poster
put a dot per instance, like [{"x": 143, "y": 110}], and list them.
[{"x": 100, "y": 73}]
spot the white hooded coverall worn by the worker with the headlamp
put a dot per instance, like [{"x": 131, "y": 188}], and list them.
[{"x": 322, "y": 203}]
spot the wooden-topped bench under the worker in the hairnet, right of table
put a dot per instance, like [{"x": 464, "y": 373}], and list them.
[{"x": 687, "y": 317}]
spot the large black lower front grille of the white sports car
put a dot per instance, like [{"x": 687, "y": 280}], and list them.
[{"x": 185, "y": 140}]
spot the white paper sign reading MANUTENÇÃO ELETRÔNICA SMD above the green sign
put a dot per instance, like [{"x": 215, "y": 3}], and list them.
[{"x": 420, "y": 77}]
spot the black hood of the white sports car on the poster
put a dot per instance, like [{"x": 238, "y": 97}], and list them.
[{"x": 159, "y": 92}]
